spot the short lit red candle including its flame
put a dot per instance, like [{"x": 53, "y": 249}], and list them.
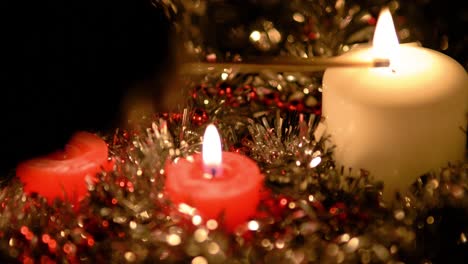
[{"x": 220, "y": 185}]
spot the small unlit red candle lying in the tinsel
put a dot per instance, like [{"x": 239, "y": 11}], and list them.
[{"x": 62, "y": 174}]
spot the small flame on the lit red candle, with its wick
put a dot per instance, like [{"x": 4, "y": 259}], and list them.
[{"x": 212, "y": 152}]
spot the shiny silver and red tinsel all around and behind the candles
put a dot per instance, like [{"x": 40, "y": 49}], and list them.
[{"x": 310, "y": 211}]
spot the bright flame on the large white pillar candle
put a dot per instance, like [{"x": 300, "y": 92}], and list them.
[{"x": 385, "y": 43}]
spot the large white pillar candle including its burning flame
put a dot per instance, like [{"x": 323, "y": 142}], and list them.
[{"x": 396, "y": 122}]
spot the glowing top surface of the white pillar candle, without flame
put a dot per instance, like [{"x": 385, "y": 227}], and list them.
[{"x": 387, "y": 89}]
